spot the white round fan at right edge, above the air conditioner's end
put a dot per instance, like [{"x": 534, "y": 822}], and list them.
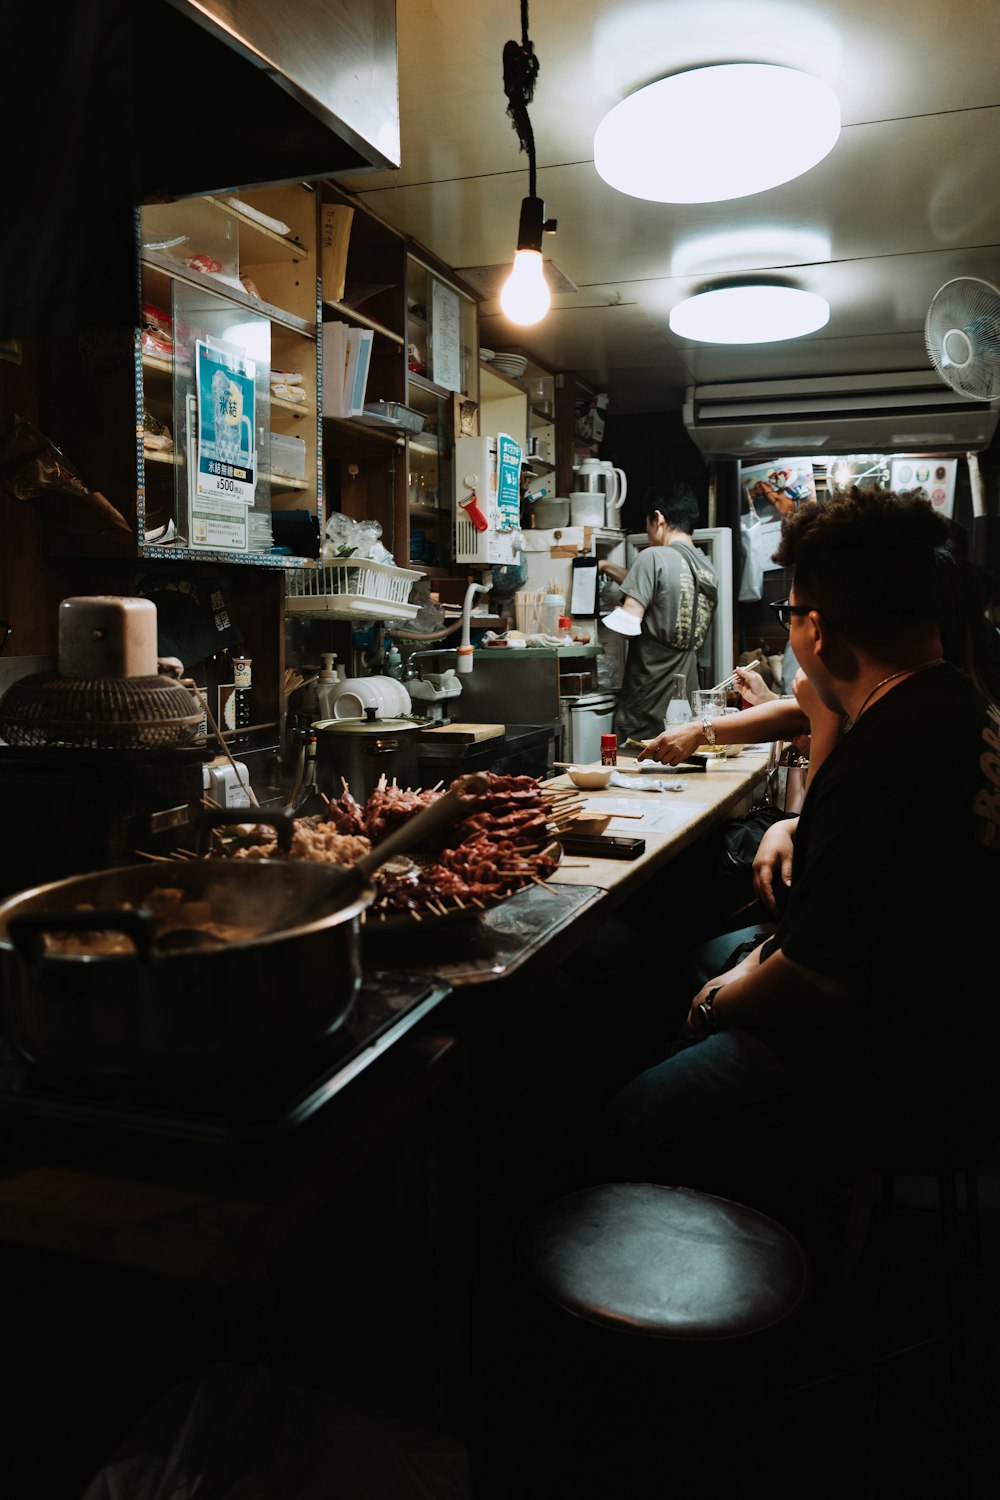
[{"x": 962, "y": 332}]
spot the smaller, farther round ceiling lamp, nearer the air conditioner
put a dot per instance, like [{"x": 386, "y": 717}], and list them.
[{"x": 752, "y": 314}]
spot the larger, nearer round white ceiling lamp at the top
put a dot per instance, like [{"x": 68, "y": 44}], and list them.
[{"x": 717, "y": 133}]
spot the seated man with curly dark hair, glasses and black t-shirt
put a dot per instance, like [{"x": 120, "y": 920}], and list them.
[{"x": 857, "y": 1012}]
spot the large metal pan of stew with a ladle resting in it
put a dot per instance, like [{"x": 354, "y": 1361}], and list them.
[{"x": 160, "y": 1007}]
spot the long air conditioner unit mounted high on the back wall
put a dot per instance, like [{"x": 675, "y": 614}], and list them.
[{"x": 909, "y": 412}]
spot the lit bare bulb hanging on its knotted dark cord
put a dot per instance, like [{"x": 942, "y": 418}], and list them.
[{"x": 525, "y": 296}]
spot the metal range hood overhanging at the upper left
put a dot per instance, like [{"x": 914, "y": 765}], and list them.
[{"x": 259, "y": 94}]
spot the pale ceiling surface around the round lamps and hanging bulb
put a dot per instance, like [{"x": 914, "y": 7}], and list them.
[{"x": 908, "y": 199}]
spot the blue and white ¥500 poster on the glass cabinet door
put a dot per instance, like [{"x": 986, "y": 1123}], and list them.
[{"x": 227, "y": 448}]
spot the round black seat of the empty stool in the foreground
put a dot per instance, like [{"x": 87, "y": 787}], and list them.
[{"x": 665, "y": 1262}]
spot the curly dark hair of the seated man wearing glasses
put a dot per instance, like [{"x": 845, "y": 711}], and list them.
[{"x": 866, "y": 560}]
